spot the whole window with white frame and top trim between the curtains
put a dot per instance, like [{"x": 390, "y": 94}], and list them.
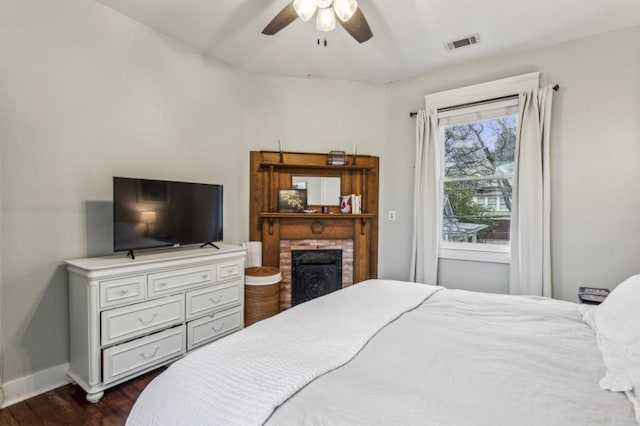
[{"x": 477, "y": 128}]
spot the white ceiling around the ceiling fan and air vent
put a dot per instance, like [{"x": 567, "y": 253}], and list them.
[{"x": 408, "y": 34}]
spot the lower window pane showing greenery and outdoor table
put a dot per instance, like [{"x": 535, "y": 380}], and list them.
[{"x": 471, "y": 212}]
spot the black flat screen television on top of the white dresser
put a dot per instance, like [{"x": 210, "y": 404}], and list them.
[{"x": 158, "y": 213}]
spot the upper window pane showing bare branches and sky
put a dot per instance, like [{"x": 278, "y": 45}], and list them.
[{"x": 483, "y": 148}]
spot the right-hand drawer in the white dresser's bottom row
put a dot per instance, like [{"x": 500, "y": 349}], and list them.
[{"x": 213, "y": 326}]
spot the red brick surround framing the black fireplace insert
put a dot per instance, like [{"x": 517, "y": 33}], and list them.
[{"x": 286, "y": 248}]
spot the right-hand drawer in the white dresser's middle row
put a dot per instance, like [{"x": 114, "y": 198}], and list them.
[{"x": 217, "y": 297}]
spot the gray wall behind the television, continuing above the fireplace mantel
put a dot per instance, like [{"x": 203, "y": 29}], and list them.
[{"x": 86, "y": 94}]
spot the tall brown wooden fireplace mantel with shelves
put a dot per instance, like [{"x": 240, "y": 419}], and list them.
[{"x": 268, "y": 175}]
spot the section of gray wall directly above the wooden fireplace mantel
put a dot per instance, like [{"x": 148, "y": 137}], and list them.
[{"x": 316, "y": 115}]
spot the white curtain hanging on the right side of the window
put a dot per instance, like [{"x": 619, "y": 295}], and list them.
[{"x": 530, "y": 270}]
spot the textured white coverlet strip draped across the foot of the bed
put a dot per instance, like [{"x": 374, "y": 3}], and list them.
[{"x": 242, "y": 378}]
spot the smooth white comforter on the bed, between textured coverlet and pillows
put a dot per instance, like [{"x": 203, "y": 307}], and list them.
[{"x": 464, "y": 358}]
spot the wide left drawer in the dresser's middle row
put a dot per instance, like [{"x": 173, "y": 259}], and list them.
[{"x": 141, "y": 318}]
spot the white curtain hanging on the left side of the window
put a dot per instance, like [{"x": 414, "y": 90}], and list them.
[{"x": 426, "y": 217}]
